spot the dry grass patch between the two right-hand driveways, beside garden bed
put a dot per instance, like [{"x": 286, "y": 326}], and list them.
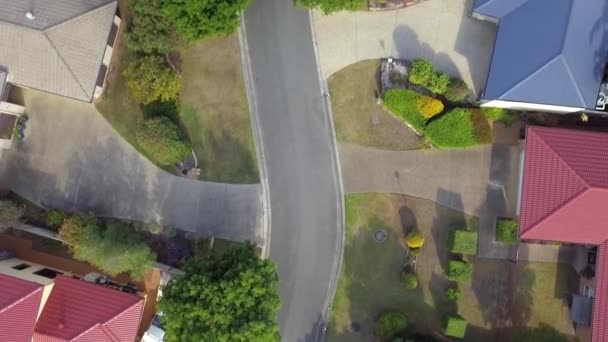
[{"x": 358, "y": 118}]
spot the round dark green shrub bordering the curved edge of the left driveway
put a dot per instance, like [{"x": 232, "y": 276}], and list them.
[{"x": 161, "y": 138}]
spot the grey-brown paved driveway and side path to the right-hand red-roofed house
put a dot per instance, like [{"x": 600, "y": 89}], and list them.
[{"x": 481, "y": 181}]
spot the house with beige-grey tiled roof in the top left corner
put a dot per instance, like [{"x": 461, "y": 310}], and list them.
[{"x": 57, "y": 46}]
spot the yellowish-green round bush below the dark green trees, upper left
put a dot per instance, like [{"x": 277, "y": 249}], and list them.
[{"x": 149, "y": 78}]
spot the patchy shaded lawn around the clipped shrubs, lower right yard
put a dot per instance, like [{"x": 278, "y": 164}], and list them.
[{"x": 499, "y": 295}]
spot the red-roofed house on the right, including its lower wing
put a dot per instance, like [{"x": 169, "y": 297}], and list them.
[{"x": 564, "y": 199}]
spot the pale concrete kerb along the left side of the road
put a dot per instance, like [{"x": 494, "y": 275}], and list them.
[{"x": 257, "y": 129}]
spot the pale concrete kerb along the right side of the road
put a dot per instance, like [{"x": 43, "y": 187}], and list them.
[{"x": 337, "y": 266}]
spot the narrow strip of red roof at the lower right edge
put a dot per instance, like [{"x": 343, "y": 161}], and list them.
[{"x": 599, "y": 328}]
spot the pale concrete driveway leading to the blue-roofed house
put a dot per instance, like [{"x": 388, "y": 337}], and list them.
[{"x": 439, "y": 30}]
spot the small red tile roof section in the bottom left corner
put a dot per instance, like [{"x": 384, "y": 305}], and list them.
[{"x": 19, "y": 303}]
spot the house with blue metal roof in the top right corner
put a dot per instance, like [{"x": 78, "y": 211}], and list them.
[{"x": 549, "y": 55}]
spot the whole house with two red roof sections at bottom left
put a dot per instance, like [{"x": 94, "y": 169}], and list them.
[{"x": 39, "y": 303}]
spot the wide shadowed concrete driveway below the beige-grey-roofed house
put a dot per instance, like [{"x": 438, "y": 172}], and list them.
[{"x": 74, "y": 160}]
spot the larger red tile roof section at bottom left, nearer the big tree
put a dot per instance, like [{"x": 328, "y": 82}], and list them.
[{"x": 80, "y": 311}]
